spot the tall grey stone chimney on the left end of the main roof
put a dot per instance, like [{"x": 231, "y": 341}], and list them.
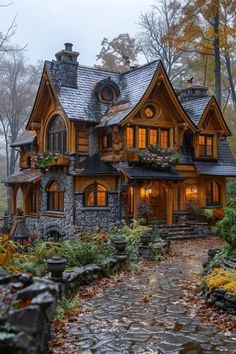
[{"x": 67, "y": 65}]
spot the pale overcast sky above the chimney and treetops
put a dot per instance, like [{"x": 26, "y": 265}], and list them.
[{"x": 45, "y": 25}]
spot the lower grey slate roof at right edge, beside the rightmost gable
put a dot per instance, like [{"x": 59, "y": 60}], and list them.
[{"x": 225, "y": 166}]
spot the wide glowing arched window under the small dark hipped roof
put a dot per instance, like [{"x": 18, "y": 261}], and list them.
[{"x": 95, "y": 195}]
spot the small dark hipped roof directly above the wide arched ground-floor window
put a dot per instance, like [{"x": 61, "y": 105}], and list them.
[{"x": 93, "y": 166}]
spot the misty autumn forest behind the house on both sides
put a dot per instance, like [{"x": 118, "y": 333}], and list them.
[{"x": 194, "y": 39}]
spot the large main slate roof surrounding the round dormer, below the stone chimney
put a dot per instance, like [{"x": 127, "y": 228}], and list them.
[{"x": 82, "y": 103}]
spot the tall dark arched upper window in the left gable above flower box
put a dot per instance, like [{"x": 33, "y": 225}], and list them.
[{"x": 57, "y": 135}]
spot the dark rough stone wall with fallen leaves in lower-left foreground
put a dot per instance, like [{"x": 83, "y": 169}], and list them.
[{"x": 27, "y": 329}]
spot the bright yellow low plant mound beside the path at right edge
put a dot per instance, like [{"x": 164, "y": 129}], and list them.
[{"x": 221, "y": 278}]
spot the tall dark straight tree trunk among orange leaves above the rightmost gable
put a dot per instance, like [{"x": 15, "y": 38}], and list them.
[{"x": 216, "y": 45}]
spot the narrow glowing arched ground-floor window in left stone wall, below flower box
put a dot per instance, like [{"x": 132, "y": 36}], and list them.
[{"x": 55, "y": 197}]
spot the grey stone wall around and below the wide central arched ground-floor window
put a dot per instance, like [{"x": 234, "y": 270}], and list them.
[{"x": 92, "y": 219}]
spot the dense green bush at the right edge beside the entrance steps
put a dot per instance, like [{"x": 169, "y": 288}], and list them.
[{"x": 226, "y": 228}]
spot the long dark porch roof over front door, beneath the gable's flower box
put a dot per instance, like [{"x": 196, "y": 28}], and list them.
[{"x": 136, "y": 172}]
